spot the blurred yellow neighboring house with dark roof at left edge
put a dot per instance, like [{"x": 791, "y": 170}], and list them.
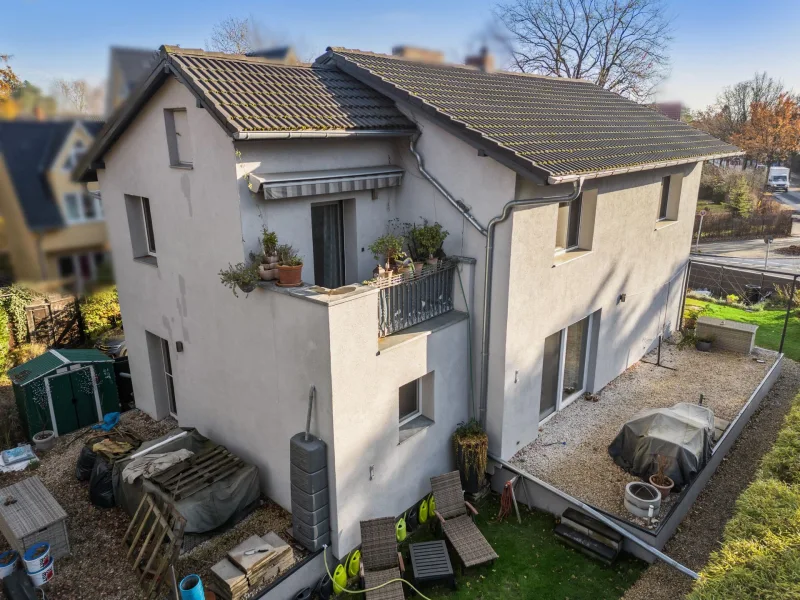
[{"x": 54, "y": 225}]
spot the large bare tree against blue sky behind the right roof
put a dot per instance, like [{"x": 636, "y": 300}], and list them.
[{"x": 620, "y": 45}]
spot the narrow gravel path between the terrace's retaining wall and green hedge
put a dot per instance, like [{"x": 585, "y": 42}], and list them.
[{"x": 701, "y": 530}]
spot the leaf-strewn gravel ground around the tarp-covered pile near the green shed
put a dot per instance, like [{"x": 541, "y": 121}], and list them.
[{"x": 98, "y": 568}]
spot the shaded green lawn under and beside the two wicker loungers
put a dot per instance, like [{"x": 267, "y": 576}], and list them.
[{"x": 533, "y": 563}]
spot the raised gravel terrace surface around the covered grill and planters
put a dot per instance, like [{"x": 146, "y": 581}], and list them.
[{"x": 583, "y": 467}]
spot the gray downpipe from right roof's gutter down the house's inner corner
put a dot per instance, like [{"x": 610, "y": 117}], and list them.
[{"x": 577, "y": 187}]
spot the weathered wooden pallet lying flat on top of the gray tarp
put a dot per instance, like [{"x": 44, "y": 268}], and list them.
[{"x": 198, "y": 472}]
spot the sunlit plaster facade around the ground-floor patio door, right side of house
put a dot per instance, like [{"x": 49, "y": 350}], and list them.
[{"x": 631, "y": 254}]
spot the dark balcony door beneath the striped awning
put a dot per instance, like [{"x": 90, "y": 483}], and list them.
[{"x": 327, "y": 235}]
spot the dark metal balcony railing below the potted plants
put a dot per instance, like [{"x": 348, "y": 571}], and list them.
[{"x": 410, "y": 298}]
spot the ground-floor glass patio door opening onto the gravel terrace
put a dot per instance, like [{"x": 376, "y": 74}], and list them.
[{"x": 565, "y": 366}]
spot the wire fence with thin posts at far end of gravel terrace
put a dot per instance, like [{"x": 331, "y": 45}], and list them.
[{"x": 768, "y": 299}]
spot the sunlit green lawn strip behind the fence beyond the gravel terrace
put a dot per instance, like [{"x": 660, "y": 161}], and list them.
[{"x": 770, "y": 324}]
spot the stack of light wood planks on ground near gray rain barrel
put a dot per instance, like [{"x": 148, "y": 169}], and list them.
[{"x": 234, "y": 577}]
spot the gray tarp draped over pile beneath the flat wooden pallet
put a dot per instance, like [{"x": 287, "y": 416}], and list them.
[{"x": 204, "y": 511}]
